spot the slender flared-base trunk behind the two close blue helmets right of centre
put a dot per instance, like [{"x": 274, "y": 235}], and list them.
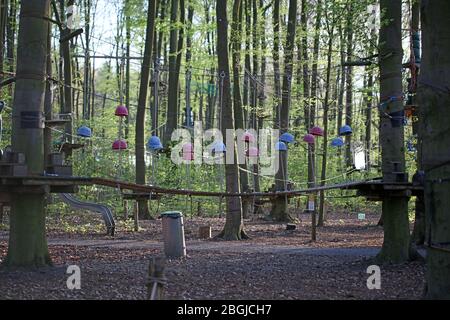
[{"x": 279, "y": 210}]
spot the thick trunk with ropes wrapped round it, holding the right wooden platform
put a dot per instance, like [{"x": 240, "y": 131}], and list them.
[{"x": 396, "y": 245}]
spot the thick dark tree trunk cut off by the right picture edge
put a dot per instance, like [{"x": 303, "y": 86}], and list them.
[{"x": 434, "y": 99}]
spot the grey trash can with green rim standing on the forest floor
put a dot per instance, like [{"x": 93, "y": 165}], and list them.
[{"x": 173, "y": 234}]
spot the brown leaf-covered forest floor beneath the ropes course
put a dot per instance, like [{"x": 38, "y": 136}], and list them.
[{"x": 273, "y": 264}]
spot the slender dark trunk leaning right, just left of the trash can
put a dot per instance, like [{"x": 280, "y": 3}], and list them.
[{"x": 142, "y": 102}]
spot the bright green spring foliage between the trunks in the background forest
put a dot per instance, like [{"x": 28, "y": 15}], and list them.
[{"x": 97, "y": 158}]
